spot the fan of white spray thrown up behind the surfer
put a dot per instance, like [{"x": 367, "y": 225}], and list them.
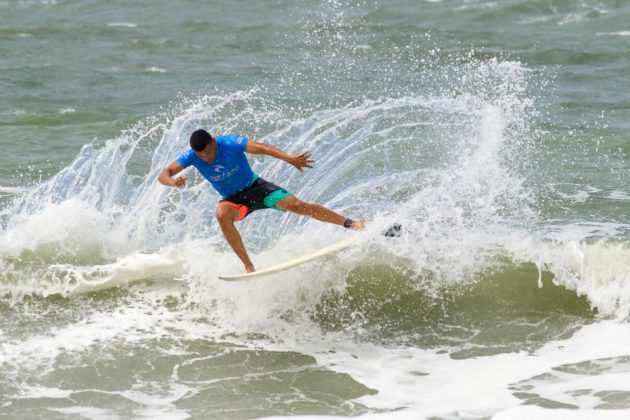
[{"x": 440, "y": 165}]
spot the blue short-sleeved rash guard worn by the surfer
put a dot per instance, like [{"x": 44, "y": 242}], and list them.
[{"x": 230, "y": 172}]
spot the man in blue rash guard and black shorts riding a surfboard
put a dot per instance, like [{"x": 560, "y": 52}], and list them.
[{"x": 223, "y": 163}]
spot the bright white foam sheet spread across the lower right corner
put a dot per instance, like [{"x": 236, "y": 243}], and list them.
[{"x": 430, "y": 384}]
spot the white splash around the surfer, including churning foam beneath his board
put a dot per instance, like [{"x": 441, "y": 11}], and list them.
[{"x": 447, "y": 165}]
